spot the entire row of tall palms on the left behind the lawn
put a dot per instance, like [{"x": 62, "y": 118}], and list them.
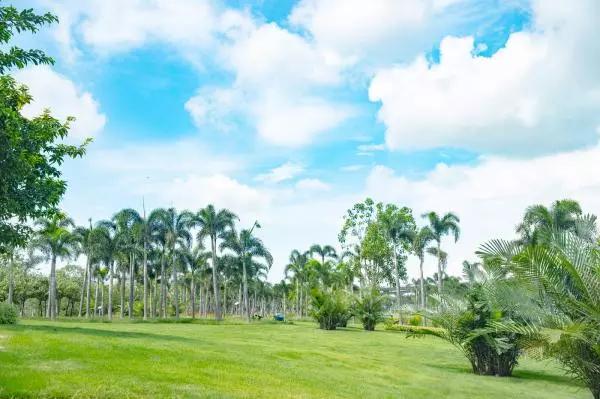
[{"x": 131, "y": 244}]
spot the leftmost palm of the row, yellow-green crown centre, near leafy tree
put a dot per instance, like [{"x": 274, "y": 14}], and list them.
[{"x": 56, "y": 241}]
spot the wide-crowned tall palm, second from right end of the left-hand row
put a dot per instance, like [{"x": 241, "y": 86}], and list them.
[{"x": 214, "y": 224}]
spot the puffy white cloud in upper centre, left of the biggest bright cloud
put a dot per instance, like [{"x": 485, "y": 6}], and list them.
[{"x": 277, "y": 74}]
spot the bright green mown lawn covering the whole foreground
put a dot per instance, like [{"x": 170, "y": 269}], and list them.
[{"x": 128, "y": 360}]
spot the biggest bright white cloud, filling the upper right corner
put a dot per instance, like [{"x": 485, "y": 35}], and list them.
[{"x": 541, "y": 92}]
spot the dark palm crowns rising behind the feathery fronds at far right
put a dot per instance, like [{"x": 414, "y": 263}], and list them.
[{"x": 562, "y": 215}]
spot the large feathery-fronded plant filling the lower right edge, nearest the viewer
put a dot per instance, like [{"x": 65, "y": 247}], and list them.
[{"x": 565, "y": 269}]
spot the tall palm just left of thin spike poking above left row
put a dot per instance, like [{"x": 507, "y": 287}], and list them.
[{"x": 129, "y": 231}]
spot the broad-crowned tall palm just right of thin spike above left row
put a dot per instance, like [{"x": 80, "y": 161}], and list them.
[{"x": 175, "y": 229}]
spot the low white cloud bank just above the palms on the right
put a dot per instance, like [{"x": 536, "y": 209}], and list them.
[{"x": 490, "y": 197}]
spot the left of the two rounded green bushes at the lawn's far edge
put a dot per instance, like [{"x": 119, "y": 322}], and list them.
[{"x": 331, "y": 310}]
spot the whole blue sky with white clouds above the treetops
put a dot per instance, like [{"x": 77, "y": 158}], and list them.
[{"x": 289, "y": 112}]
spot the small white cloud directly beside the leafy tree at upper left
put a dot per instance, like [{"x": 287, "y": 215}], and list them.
[{"x": 52, "y": 90}]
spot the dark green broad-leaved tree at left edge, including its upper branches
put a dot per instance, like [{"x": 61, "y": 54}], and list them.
[{"x": 30, "y": 181}]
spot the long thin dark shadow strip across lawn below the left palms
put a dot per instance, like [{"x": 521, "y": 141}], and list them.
[{"x": 100, "y": 332}]
